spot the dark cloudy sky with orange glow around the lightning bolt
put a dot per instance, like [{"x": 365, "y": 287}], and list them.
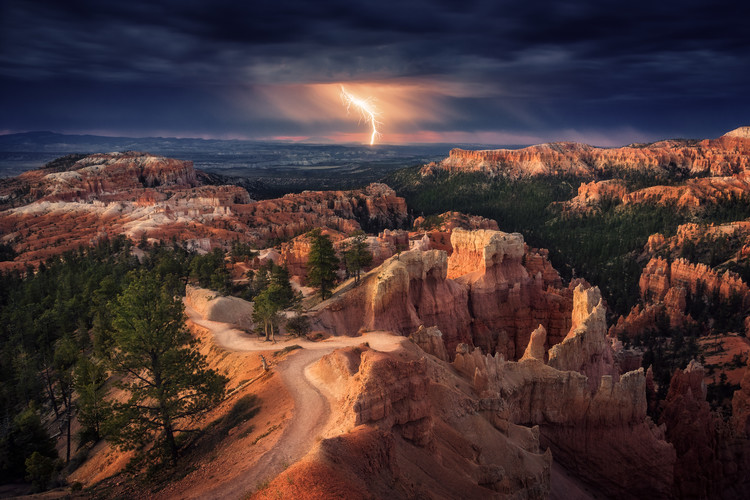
[{"x": 484, "y": 71}]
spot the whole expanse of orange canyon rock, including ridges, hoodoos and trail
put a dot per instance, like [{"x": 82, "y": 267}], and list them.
[{"x": 462, "y": 364}]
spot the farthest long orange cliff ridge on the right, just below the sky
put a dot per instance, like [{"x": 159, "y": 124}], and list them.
[{"x": 723, "y": 156}]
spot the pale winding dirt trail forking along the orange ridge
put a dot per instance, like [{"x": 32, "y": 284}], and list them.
[{"x": 311, "y": 407}]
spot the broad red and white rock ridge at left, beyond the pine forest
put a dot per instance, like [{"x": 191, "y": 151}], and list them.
[{"x": 143, "y": 195}]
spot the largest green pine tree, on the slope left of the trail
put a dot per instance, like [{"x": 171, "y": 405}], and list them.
[{"x": 168, "y": 381}]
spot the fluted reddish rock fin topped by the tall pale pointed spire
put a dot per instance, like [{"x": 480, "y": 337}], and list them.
[{"x": 603, "y": 434}]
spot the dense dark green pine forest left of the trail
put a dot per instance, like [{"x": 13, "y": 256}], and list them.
[{"x": 86, "y": 317}]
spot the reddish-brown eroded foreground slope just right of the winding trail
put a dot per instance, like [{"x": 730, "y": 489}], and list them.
[{"x": 443, "y": 442}]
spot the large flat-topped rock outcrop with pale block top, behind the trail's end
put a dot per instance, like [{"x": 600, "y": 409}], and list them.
[{"x": 482, "y": 295}]
